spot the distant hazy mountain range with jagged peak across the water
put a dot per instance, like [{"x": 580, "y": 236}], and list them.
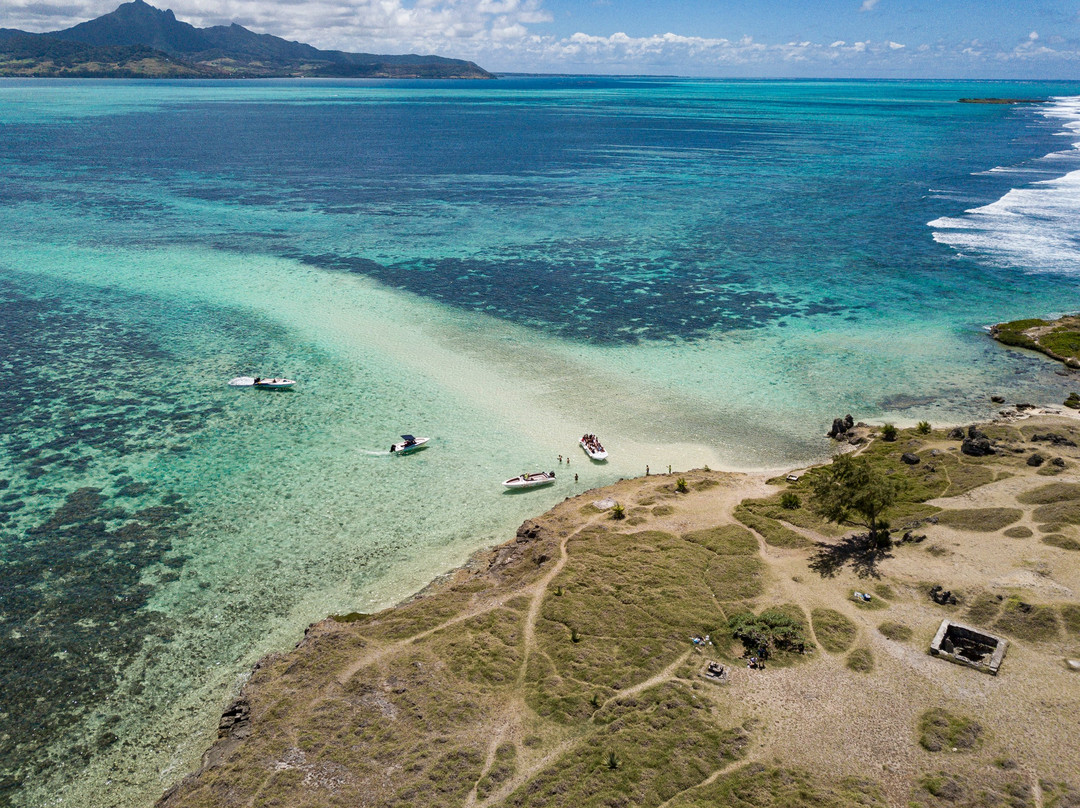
[{"x": 140, "y": 41}]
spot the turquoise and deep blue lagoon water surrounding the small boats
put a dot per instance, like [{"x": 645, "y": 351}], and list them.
[{"x": 698, "y": 272}]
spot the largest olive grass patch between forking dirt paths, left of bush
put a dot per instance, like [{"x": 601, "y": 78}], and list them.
[{"x": 634, "y": 599}]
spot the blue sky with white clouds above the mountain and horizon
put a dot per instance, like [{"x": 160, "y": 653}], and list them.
[{"x": 979, "y": 39}]
